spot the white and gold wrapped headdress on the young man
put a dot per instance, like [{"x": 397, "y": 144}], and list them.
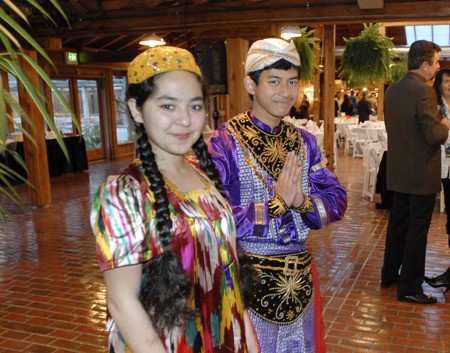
[{"x": 265, "y": 52}]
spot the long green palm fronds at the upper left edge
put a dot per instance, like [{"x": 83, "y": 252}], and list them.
[{"x": 12, "y": 36}]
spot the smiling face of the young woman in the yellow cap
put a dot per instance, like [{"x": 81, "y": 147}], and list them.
[{"x": 174, "y": 114}]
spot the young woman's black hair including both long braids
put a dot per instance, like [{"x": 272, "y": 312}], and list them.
[{"x": 166, "y": 286}]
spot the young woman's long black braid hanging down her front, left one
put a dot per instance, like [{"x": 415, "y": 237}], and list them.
[{"x": 165, "y": 285}]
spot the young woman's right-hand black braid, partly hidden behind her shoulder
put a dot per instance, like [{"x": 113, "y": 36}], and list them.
[{"x": 248, "y": 274}]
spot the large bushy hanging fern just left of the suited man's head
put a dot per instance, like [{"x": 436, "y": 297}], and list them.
[{"x": 367, "y": 58}]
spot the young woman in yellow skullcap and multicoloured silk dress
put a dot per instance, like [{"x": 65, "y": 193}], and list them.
[{"x": 165, "y": 234}]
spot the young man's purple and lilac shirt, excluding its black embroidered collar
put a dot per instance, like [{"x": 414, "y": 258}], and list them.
[{"x": 248, "y": 195}]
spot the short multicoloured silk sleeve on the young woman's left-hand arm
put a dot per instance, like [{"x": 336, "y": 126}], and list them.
[{"x": 118, "y": 219}]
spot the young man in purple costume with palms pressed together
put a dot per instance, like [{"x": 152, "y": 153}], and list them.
[{"x": 279, "y": 188}]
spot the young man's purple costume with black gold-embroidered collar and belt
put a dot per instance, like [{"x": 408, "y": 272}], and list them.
[{"x": 249, "y": 155}]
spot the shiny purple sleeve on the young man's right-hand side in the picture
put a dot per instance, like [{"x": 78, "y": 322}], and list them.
[{"x": 328, "y": 196}]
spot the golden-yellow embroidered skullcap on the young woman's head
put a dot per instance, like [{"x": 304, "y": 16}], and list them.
[{"x": 161, "y": 59}]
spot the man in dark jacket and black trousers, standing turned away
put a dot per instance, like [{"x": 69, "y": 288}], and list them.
[{"x": 415, "y": 135}]
